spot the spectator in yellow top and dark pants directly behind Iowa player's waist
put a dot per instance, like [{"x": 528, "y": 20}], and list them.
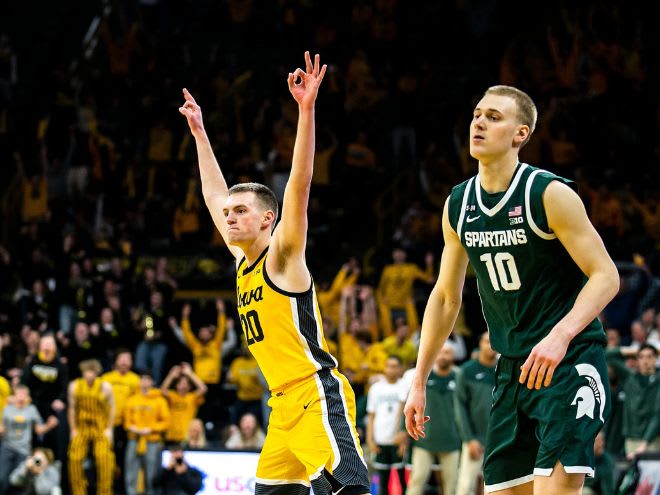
[{"x": 244, "y": 373}]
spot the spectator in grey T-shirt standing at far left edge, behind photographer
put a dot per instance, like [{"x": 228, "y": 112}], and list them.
[{"x": 19, "y": 419}]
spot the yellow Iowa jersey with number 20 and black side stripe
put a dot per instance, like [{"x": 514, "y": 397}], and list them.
[{"x": 283, "y": 329}]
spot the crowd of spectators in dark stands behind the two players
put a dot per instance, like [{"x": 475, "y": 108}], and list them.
[{"x": 92, "y": 265}]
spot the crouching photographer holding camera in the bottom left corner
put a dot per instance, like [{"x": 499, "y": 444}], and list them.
[{"x": 36, "y": 475}]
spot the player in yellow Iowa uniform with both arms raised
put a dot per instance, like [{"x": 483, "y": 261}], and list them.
[{"x": 311, "y": 440}]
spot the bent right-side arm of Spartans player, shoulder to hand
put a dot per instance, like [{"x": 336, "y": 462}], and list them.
[{"x": 568, "y": 219}]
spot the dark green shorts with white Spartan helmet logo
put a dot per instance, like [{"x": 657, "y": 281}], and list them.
[{"x": 530, "y": 430}]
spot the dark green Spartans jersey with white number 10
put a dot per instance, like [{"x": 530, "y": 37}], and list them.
[{"x": 527, "y": 280}]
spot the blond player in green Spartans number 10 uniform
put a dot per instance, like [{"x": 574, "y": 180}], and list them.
[{"x": 543, "y": 275}]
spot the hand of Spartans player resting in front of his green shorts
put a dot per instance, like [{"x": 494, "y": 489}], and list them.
[{"x": 543, "y": 360}]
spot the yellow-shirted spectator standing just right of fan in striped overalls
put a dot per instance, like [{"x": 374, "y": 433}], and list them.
[{"x": 125, "y": 383}]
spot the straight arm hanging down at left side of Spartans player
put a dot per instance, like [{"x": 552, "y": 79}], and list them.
[{"x": 439, "y": 318}]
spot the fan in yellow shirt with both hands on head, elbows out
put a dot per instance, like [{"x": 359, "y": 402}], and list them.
[{"x": 183, "y": 401}]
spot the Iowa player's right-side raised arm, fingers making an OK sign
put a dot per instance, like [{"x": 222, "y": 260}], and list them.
[{"x": 291, "y": 234}]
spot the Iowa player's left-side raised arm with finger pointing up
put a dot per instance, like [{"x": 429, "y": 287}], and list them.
[{"x": 214, "y": 186}]
